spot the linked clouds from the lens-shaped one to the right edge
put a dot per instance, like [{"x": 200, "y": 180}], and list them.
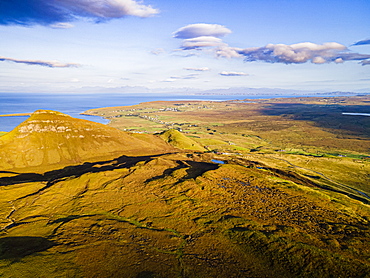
[{"x": 208, "y": 36}]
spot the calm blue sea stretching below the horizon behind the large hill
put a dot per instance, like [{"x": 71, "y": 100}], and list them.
[{"x": 74, "y": 104}]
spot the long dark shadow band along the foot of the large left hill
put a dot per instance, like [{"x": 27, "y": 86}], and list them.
[{"x": 75, "y": 171}]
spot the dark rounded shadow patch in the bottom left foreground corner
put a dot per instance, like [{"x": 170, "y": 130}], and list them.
[{"x": 15, "y": 248}]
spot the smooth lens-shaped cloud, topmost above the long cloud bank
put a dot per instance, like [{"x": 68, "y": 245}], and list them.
[{"x": 200, "y": 30}]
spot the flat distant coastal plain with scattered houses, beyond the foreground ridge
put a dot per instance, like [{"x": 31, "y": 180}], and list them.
[{"x": 309, "y": 135}]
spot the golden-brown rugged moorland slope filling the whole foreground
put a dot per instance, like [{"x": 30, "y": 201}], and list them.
[{"x": 179, "y": 215}]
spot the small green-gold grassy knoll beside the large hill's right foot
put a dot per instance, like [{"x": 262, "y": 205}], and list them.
[{"x": 179, "y": 140}]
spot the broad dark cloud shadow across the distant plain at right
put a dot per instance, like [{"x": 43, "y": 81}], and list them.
[{"x": 326, "y": 116}]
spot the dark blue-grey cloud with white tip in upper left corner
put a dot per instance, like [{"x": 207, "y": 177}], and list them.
[{"x": 58, "y": 13}]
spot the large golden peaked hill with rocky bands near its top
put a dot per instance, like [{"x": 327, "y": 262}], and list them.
[{"x": 53, "y": 138}]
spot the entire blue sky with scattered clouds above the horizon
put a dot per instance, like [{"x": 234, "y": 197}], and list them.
[{"x": 163, "y": 45}]
